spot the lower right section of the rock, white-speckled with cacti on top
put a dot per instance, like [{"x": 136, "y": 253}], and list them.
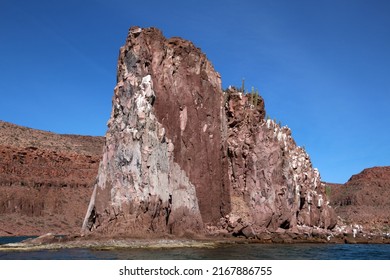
[{"x": 273, "y": 182}]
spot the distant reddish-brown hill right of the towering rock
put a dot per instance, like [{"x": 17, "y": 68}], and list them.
[{"x": 364, "y": 199}]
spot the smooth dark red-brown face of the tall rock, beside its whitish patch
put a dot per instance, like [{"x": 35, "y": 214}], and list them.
[{"x": 188, "y": 105}]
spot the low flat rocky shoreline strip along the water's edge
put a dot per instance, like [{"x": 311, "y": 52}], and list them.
[{"x": 53, "y": 242}]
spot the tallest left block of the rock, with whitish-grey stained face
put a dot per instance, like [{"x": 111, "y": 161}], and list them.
[{"x": 153, "y": 177}]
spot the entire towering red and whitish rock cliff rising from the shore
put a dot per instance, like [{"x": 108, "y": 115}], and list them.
[{"x": 180, "y": 153}]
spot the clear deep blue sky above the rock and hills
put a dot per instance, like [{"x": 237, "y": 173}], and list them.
[{"x": 323, "y": 67}]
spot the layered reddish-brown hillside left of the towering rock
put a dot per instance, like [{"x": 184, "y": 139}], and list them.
[{"x": 45, "y": 179}]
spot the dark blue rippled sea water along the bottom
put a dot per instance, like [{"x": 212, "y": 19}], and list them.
[{"x": 229, "y": 251}]
